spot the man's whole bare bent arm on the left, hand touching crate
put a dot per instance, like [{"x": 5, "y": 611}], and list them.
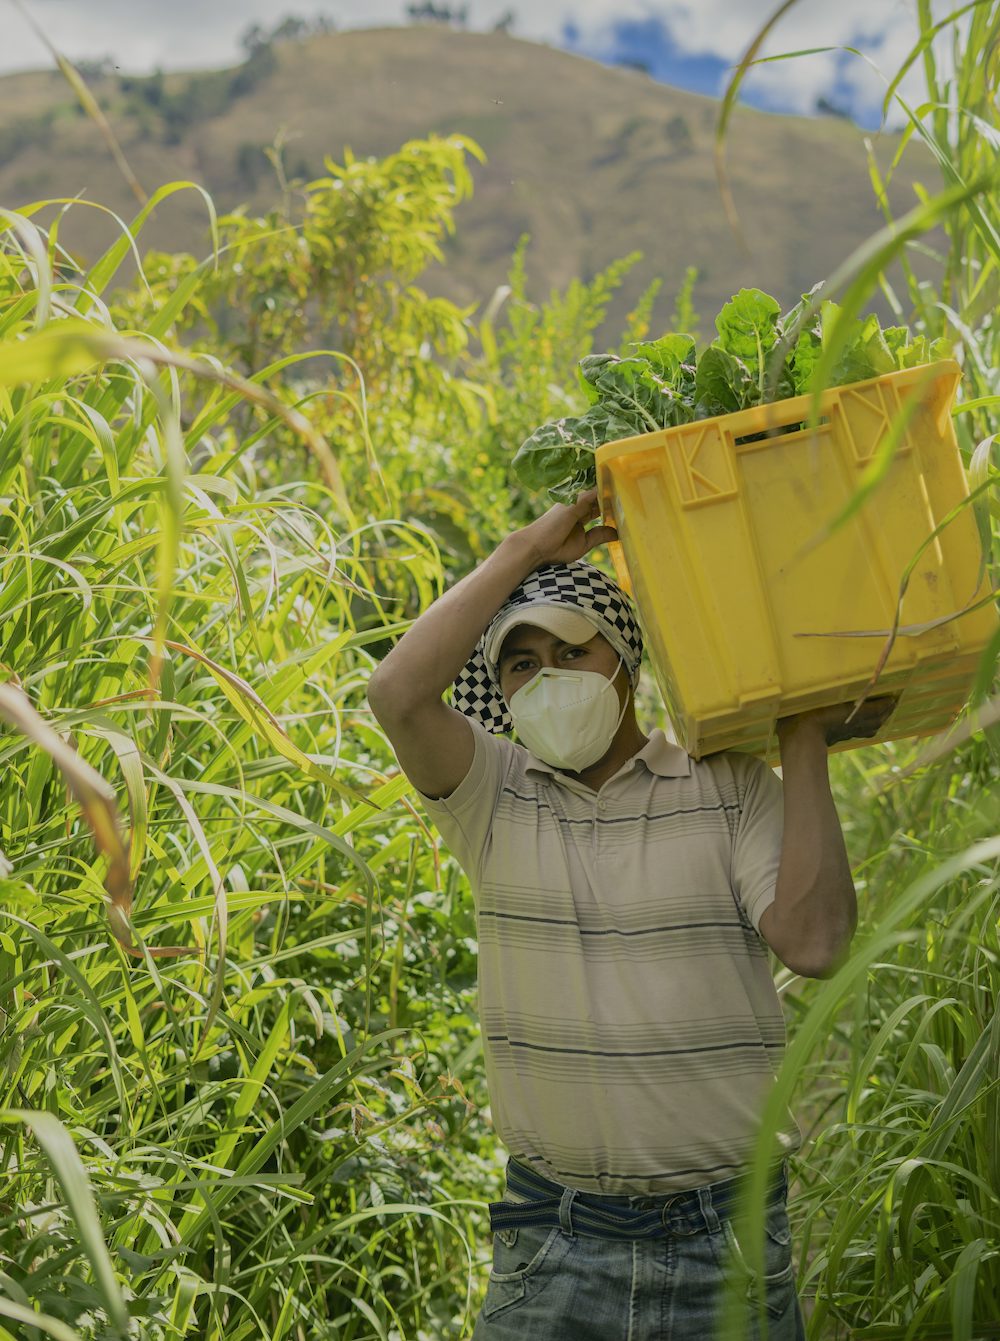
[{"x": 435, "y": 744}]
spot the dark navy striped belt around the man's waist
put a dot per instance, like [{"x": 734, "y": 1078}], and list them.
[{"x": 643, "y": 1217}]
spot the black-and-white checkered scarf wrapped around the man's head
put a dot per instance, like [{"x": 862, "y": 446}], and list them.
[{"x": 580, "y": 587}]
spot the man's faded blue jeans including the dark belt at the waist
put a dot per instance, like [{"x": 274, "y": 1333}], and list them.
[{"x": 576, "y": 1281}]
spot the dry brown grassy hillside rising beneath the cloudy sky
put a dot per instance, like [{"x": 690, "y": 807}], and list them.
[{"x": 592, "y": 162}]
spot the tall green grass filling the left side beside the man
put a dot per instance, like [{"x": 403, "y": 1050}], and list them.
[{"x": 212, "y": 1126}]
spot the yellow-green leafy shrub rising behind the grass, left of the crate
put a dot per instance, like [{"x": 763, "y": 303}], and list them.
[{"x": 336, "y": 270}]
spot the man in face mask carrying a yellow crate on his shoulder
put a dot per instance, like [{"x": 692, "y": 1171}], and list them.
[{"x": 627, "y": 896}]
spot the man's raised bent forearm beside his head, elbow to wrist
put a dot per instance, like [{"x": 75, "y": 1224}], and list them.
[{"x": 430, "y": 656}]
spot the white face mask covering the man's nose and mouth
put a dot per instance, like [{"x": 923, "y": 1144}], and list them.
[{"x": 568, "y": 718}]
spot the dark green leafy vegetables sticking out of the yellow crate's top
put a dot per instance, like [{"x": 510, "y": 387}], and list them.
[{"x": 758, "y": 356}]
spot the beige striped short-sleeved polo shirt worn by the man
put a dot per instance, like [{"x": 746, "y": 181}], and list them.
[{"x": 631, "y": 1023}]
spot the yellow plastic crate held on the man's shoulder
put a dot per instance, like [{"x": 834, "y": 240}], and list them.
[{"x": 749, "y": 609}]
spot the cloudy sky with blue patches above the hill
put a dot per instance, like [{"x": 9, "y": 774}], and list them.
[{"x": 691, "y": 44}]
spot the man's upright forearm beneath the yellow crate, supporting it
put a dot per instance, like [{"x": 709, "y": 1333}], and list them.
[{"x": 816, "y": 910}]
